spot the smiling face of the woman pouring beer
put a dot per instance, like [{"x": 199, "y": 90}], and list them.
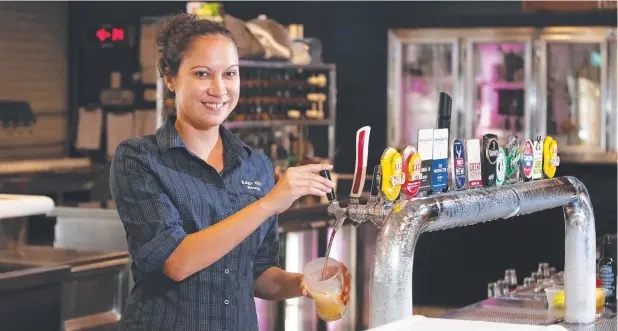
[{"x": 207, "y": 84}]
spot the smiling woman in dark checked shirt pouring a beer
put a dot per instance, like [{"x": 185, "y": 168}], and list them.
[{"x": 198, "y": 205}]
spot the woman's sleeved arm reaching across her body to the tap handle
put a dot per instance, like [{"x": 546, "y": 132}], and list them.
[{"x": 155, "y": 231}]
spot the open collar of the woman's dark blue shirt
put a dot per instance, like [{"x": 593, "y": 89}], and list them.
[{"x": 168, "y": 138}]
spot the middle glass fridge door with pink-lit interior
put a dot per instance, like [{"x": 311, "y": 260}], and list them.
[{"x": 498, "y": 83}]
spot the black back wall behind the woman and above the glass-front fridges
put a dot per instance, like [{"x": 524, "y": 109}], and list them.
[{"x": 354, "y": 37}]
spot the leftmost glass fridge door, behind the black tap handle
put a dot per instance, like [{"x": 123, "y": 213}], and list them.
[{"x": 420, "y": 67}]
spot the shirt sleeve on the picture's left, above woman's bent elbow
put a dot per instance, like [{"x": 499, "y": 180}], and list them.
[{"x": 151, "y": 221}]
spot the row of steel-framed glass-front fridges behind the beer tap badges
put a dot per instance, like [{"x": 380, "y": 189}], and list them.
[{"x": 558, "y": 81}]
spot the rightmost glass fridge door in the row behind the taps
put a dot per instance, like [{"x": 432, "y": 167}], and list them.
[{"x": 577, "y": 86}]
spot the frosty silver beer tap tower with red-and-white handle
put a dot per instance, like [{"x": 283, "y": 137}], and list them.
[{"x": 401, "y": 222}]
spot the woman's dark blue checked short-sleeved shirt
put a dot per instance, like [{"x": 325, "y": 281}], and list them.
[{"x": 164, "y": 192}]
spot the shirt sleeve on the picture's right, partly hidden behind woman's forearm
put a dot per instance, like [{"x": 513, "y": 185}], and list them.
[{"x": 268, "y": 253}]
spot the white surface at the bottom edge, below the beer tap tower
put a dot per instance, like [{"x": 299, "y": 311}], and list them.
[{"x": 421, "y": 323}]
